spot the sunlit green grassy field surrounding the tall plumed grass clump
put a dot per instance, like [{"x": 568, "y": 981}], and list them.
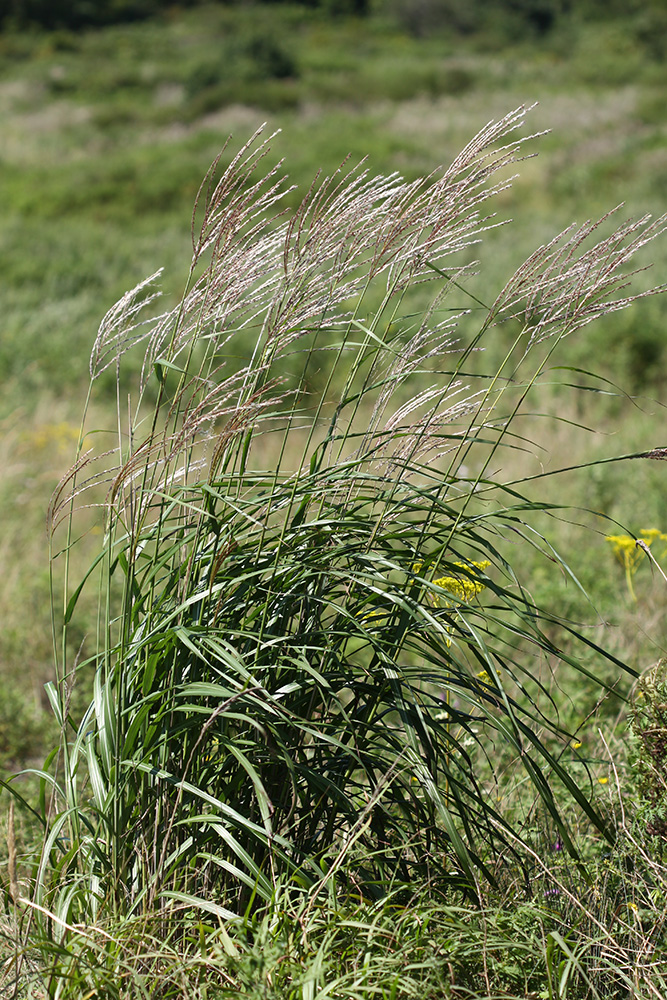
[{"x": 107, "y": 136}]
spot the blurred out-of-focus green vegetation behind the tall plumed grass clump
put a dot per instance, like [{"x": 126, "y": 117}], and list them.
[{"x": 111, "y": 113}]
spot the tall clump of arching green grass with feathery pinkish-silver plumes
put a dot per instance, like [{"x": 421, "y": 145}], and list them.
[{"x": 314, "y": 663}]
